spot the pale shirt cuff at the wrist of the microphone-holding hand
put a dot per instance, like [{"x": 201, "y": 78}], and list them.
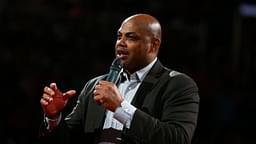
[{"x": 124, "y": 114}]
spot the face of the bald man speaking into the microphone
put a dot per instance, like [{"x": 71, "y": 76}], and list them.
[{"x": 133, "y": 46}]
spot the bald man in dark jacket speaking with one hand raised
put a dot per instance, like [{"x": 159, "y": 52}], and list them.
[{"x": 152, "y": 105}]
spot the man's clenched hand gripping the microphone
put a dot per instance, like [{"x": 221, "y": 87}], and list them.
[{"x": 108, "y": 95}]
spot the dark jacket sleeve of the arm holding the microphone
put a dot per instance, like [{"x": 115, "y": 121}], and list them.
[{"x": 179, "y": 107}]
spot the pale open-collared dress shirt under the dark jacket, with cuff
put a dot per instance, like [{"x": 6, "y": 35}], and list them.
[{"x": 124, "y": 114}]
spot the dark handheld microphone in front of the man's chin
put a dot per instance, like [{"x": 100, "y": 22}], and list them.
[{"x": 115, "y": 70}]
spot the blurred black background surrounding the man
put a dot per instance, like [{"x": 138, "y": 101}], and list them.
[{"x": 71, "y": 41}]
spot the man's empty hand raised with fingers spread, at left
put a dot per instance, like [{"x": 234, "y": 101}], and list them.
[{"x": 53, "y": 100}]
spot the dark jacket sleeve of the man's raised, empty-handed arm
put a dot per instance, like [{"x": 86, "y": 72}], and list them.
[{"x": 70, "y": 127}]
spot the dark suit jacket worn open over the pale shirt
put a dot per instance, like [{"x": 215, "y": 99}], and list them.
[{"x": 167, "y": 109}]
